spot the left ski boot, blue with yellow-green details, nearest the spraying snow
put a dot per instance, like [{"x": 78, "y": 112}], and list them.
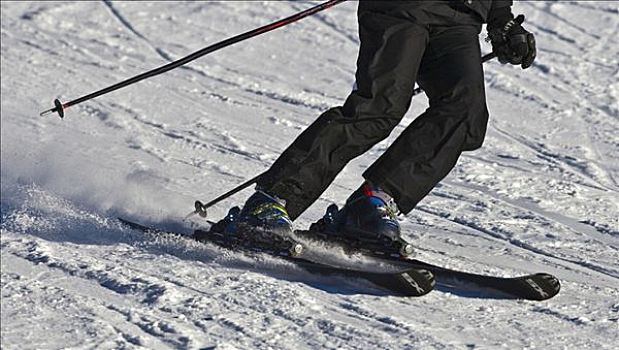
[{"x": 263, "y": 224}]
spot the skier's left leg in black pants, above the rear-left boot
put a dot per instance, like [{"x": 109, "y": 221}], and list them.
[{"x": 389, "y": 58}]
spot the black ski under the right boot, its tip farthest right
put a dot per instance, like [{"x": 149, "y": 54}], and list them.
[{"x": 537, "y": 286}]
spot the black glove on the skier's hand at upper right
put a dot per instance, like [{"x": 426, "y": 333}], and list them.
[{"x": 512, "y": 43}]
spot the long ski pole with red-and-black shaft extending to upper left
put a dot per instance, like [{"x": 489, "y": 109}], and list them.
[{"x": 59, "y": 107}]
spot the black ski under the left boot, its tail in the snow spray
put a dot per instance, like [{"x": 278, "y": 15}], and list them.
[{"x": 408, "y": 281}]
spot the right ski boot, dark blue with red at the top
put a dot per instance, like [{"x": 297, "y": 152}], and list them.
[{"x": 367, "y": 222}]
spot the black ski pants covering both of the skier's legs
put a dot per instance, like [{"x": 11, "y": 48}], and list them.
[{"x": 430, "y": 43}]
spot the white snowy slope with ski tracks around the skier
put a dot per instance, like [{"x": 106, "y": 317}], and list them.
[{"x": 541, "y": 195}]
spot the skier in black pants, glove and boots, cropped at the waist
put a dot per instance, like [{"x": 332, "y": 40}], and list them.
[{"x": 433, "y": 43}]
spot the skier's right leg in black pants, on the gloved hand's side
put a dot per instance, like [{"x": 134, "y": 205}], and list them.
[{"x": 452, "y": 77}]
